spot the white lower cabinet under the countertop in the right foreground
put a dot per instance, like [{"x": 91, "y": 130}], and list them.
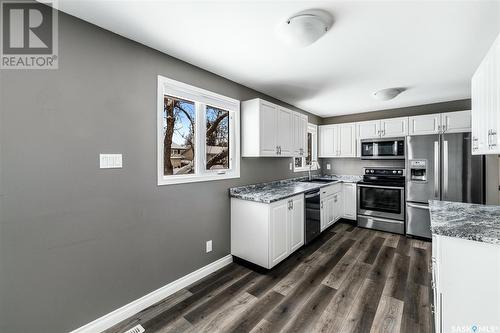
[{"x": 466, "y": 287}]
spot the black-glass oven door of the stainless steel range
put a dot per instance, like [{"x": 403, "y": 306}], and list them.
[{"x": 381, "y": 201}]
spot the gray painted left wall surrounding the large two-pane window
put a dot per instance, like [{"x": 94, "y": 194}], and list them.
[{"x": 77, "y": 242}]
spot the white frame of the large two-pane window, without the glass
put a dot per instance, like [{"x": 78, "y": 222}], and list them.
[{"x": 201, "y": 97}]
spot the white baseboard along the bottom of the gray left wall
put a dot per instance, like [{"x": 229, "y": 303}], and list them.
[{"x": 134, "y": 307}]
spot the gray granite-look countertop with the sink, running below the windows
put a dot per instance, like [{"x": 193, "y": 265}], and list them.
[{"x": 278, "y": 190}]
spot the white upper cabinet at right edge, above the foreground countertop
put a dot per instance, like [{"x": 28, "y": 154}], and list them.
[{"x": 486, "y": 103}]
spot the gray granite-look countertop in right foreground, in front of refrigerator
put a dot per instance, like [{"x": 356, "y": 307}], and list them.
[{"x": 463, "y": 220}]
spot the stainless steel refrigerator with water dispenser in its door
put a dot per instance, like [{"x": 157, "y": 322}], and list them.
[{"x": 440, "y": 167}]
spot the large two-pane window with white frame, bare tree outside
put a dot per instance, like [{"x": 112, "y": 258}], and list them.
[{"x": 198, "y": 134}]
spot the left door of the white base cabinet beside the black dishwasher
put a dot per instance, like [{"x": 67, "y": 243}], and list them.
[{"x": 278, "y": 232}]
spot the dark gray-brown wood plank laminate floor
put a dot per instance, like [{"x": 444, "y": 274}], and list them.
[{"x": 349, "y": 280}]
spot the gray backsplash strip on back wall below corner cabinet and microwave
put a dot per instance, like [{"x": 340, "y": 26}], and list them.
[{"x": 354, "y": 166}]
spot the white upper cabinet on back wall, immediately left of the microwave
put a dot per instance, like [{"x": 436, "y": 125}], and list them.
[{"x": 337, "y": 140}]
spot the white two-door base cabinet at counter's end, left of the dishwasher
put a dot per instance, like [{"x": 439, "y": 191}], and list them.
[{"x": 265, "y": 234}]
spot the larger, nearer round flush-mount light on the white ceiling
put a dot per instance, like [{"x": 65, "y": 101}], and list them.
[{"x": 304, "y": 28}]
